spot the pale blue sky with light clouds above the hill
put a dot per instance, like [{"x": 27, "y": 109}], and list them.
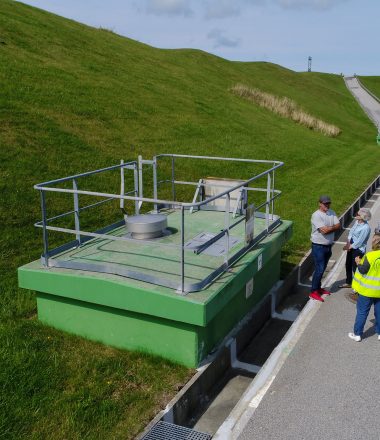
[{"x": 341, "y": 36}]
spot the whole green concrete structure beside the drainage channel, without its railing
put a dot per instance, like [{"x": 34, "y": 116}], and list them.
[{"x": 136, "y": 315}]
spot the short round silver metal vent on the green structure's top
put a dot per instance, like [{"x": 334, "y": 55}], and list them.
[{"x": 143, "y": 227}]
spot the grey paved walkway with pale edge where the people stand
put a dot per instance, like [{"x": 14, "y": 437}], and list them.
[{"x": 322, "y": 385}]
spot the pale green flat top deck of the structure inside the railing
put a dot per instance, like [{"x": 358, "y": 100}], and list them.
[{"x": 137, "y": 259}]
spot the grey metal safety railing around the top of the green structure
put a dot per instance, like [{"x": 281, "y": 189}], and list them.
[{"x": 136, "y": 195}]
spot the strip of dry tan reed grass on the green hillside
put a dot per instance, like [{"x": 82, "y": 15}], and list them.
[{"x": 285, "y": 107}]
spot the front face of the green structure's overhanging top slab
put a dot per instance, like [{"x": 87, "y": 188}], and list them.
[{"x": 111, "y": 291}]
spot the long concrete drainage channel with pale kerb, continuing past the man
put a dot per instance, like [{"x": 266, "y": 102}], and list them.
[{"x": 248, "y": 355}]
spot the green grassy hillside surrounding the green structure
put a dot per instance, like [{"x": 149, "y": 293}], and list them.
[{"x": 74, "y": 98}]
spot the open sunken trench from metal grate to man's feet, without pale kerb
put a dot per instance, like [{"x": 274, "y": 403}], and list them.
[{"x": 208, "y": 398}]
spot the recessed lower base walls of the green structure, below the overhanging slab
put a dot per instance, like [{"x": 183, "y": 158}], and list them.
[{"x": 180, "y": 342}]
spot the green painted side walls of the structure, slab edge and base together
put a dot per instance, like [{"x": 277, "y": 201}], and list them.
[{"x": 133, "y": 315}]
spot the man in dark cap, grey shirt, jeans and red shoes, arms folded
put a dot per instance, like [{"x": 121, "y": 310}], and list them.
[{"x": 324, "y": 223}]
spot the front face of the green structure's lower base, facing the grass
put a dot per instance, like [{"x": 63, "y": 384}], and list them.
[{"x": 119, "y": 328}]
